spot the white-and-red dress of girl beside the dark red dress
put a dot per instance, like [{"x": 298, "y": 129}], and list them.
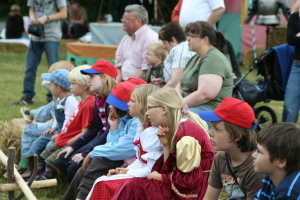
[{"x": 148, "y": 150}]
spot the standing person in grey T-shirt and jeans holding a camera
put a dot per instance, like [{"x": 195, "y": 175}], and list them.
[{"x": 48, "y": 15}]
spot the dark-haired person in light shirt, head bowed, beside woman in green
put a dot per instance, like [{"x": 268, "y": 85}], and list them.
[{"x": 174, "y": 40}]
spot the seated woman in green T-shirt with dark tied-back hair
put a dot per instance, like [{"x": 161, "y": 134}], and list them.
[{"x": 207, "y": 77}]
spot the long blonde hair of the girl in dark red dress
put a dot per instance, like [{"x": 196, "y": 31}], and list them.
[{"x": 170, "y": 98}]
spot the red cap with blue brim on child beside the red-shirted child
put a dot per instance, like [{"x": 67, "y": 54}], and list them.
[{"x": 102, "y": 67}]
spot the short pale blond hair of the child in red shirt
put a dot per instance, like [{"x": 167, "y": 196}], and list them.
[{"x": 79, "y": 78}]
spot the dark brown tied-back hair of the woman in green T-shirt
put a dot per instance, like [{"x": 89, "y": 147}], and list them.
[{"x": 204, "y": 29}]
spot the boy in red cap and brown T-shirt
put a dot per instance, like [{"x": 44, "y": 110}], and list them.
[{"x": 233, "y": 136}]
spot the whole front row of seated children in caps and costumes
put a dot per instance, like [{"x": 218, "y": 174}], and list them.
[{"x": 151, "y": 147}]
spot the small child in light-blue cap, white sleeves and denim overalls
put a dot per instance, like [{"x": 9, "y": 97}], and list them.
[{"x": 65, "y": 106}]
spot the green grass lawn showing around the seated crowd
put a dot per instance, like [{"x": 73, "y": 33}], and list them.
[{"x": 12, "y": 66}]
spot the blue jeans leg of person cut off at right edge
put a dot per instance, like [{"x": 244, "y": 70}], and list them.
[{"x": 291, "y": 103}]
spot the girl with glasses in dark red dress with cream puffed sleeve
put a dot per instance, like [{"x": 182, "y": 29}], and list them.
[{"x": 183, "y": 170}]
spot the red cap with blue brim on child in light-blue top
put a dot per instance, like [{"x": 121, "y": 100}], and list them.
[{"x": 120, "y": 95}]
